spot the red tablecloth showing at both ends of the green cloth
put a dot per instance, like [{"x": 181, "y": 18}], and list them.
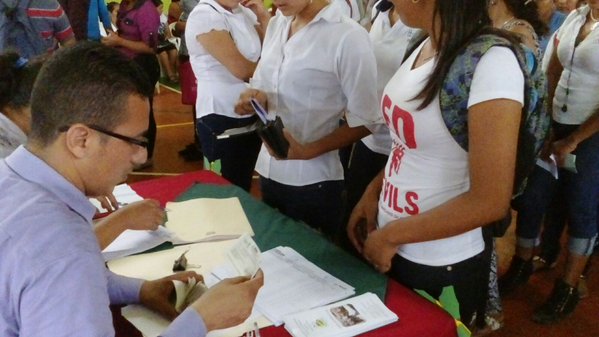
[{"x": 417, "y": 316}]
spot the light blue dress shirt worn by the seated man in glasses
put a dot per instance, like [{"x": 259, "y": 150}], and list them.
[{"x": 52, "y": 277}]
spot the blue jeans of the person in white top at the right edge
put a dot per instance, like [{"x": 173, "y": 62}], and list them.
[{"x": 577, "y": 194}]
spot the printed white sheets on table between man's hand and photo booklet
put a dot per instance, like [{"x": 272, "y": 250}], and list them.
[{"x": 292, "y": 284}]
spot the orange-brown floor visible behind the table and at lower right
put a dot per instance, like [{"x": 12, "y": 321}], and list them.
[{"x": 175, "y": 130}]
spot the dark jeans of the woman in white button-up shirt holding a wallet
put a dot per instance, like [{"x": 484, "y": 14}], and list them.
[{"x": 318, "y": 205}]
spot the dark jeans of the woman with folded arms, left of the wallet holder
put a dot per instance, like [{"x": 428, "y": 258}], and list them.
[{"x": 237, "y": 154}]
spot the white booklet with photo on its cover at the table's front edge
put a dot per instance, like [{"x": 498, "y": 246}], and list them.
[{"x": 343, "y": 319}]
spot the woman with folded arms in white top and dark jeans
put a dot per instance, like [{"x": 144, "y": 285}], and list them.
[{"x": 224, "y": 42}]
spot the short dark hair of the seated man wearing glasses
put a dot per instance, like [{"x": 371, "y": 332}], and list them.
[{"x": 88, "y": 83}]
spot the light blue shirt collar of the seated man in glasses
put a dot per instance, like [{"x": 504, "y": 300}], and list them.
[{"x": 35, "y": 170}]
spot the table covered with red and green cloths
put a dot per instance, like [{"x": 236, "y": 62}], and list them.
[{"x": 417, "y": 316}]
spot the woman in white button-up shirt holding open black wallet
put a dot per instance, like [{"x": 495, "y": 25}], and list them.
[{"x": 317, "y": 66}]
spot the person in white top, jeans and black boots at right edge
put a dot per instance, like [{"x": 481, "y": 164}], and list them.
[{"x": 573, "y": 74}]
